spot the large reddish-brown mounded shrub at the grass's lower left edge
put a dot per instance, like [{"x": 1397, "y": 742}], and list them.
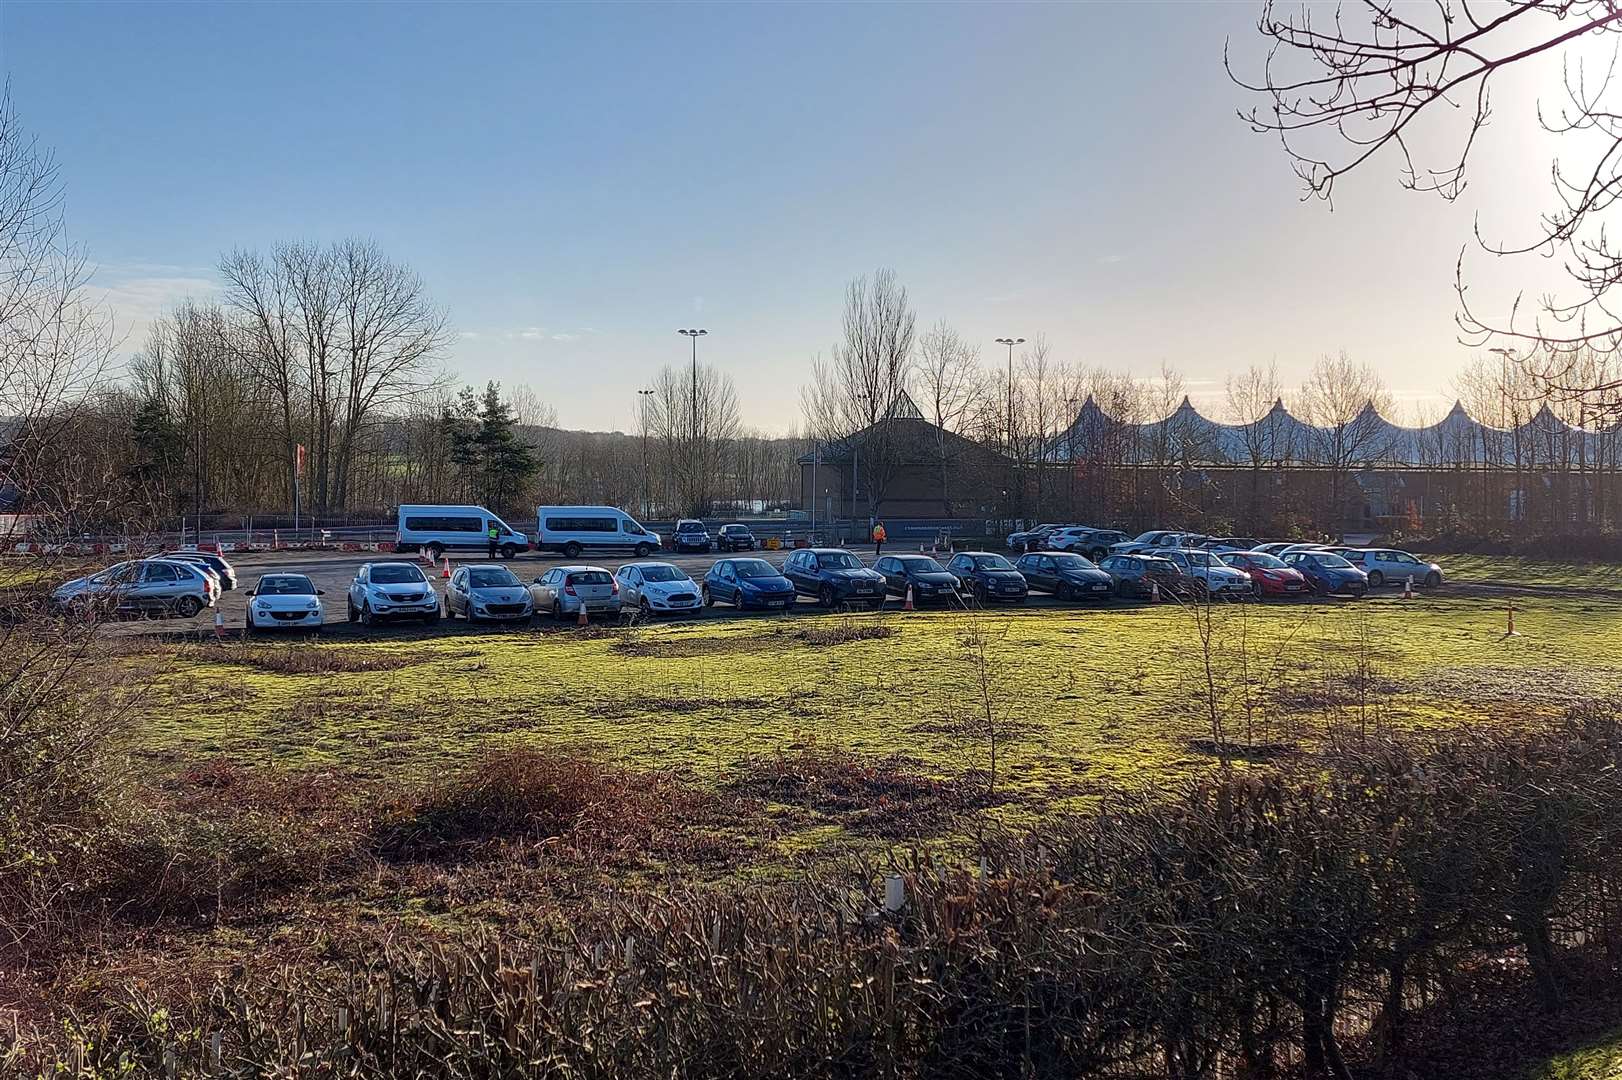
[{"x": 572, "y": 802}]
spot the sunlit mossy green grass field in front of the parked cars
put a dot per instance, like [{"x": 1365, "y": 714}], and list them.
[{"x": 1088, "y": 700}]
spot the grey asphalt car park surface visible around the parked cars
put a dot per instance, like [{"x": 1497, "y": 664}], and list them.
[{"x": 333, "y": 573}]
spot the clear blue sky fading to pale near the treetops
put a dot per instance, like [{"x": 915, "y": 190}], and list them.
[{"x": 575, "y": 182}]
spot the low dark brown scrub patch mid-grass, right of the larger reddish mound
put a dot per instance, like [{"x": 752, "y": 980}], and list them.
[{"x": 883, "y": 799}]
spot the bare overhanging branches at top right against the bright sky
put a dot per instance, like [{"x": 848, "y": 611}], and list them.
[{"x": 1349, "y": 88}]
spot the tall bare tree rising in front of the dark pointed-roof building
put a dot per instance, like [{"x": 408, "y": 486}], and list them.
[{"x": 857, "y": 393}]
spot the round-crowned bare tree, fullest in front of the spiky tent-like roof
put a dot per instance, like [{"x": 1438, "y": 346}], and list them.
[{"x": 1344, "y": 403}]
